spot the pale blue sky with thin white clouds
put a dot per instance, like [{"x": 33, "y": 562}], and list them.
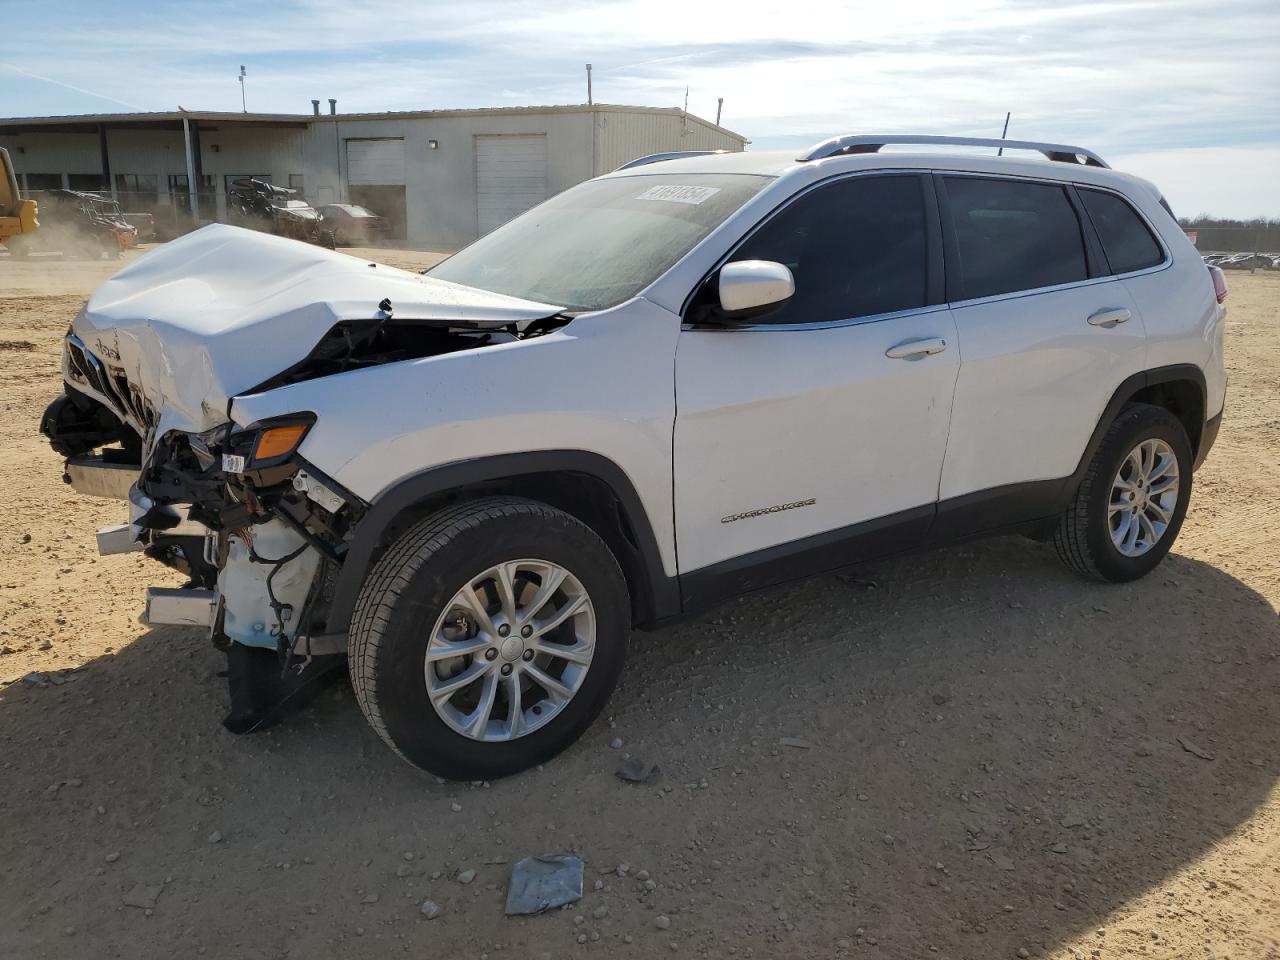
[{"x": 1185, "y": 94}]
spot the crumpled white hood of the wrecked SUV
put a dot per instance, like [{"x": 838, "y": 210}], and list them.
[{"x": 223, "y": 309}]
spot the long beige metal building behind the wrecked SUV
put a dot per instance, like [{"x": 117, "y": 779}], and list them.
[{"x": 442, "y": 177}]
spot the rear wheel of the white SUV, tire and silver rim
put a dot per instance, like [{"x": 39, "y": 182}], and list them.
[{"x": 1132, "y": 502}]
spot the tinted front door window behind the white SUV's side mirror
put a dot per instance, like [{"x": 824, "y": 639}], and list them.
[{"x": 857, "y": 248}]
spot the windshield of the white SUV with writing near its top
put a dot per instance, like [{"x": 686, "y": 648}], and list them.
[{"x": 601, "y": 243}]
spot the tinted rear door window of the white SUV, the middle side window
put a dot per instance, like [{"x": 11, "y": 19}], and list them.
[{"x": 1014, "y": 236}]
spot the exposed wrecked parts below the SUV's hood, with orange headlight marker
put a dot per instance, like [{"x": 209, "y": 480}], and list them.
[{"x": 258, "y": 532}]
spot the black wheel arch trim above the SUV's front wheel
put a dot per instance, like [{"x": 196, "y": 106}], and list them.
[{"x": 657, "y": 595}]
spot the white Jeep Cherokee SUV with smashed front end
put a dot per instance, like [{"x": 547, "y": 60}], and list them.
[{"x": 684, "y": 381}]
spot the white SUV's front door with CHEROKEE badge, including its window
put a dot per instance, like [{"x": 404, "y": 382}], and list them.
[{"x": 816, "y": 435}]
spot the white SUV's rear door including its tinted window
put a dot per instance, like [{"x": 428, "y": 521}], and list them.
[{"x": 1046, "y": 333}]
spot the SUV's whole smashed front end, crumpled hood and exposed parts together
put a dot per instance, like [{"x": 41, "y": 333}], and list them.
[{"x": 154, "y": 367}]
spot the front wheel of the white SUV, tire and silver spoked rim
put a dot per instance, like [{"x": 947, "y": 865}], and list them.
[{"x": 490, "y": 638}]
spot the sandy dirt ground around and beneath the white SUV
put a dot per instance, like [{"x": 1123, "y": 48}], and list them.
[{"x": 1003, "y": 761}]
